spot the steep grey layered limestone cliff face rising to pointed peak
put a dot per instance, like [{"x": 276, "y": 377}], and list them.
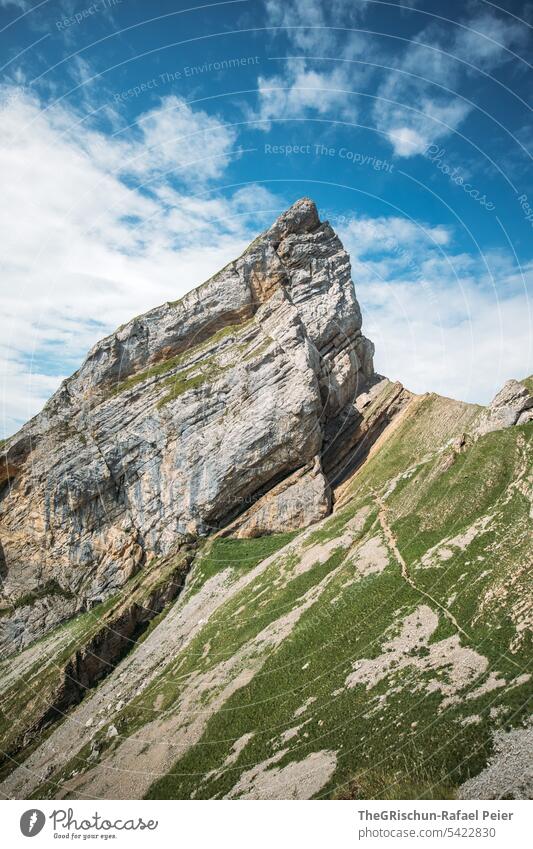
[{"x": 218, "y": 407}]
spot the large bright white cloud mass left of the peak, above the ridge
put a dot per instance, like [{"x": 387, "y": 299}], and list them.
[{"x": 84, "y": 249}]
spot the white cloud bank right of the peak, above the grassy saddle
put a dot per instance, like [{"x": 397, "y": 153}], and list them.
[{"x": 435, "y": 315}]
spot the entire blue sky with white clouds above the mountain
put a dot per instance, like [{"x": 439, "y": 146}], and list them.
[{"x": 143, "y": 145}]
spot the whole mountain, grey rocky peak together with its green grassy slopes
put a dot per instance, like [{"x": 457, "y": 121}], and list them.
[{"x": 357, "y": 572}]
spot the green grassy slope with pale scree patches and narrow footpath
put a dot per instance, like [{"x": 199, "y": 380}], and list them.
[{"x": 389, "y": 641}]
